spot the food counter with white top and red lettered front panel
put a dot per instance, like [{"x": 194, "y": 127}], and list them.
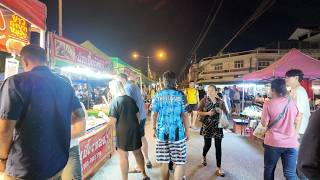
[{"x": 96, "y": 146}]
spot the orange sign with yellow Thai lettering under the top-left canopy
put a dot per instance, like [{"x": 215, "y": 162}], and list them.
[{"x": 14, "y": 31}]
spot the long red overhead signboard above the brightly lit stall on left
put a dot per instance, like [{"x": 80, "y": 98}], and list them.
[{"x": 66, "y": 50}]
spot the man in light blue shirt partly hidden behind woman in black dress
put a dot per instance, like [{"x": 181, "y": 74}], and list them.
[{"x": 134, "y": 92}]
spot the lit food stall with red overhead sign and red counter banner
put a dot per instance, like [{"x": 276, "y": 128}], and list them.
[{"x": 89, "y": 74}]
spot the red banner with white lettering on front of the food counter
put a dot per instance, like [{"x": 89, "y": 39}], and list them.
[{"x": 95, "y": 148}]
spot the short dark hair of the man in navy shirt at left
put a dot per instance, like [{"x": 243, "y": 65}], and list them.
[{"x": 34, "y": 53}]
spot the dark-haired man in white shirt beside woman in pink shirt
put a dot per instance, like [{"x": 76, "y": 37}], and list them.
[{"x": 300, "y": 97}]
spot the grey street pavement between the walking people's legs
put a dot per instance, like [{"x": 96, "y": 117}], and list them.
[{"x": 242, "y": 159}]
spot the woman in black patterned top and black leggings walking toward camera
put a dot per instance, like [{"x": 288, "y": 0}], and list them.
[{"x": 210, "y": 109}]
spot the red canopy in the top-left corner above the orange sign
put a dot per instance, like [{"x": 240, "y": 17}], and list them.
[{"x": 33, "y": 11}]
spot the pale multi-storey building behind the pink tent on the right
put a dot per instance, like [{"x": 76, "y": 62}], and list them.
[{"x": 229, "y": 68}]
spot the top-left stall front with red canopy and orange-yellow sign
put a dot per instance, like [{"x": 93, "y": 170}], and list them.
[{"x": 18, "y": 20}]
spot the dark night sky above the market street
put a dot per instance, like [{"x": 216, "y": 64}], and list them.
[{"x": 119, "y": 27}]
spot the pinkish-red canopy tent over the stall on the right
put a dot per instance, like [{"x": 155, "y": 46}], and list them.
[{"x": 294, "y": 59}]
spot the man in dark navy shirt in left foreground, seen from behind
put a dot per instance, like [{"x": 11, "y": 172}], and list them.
[{"x": 36, "y": 112}]
